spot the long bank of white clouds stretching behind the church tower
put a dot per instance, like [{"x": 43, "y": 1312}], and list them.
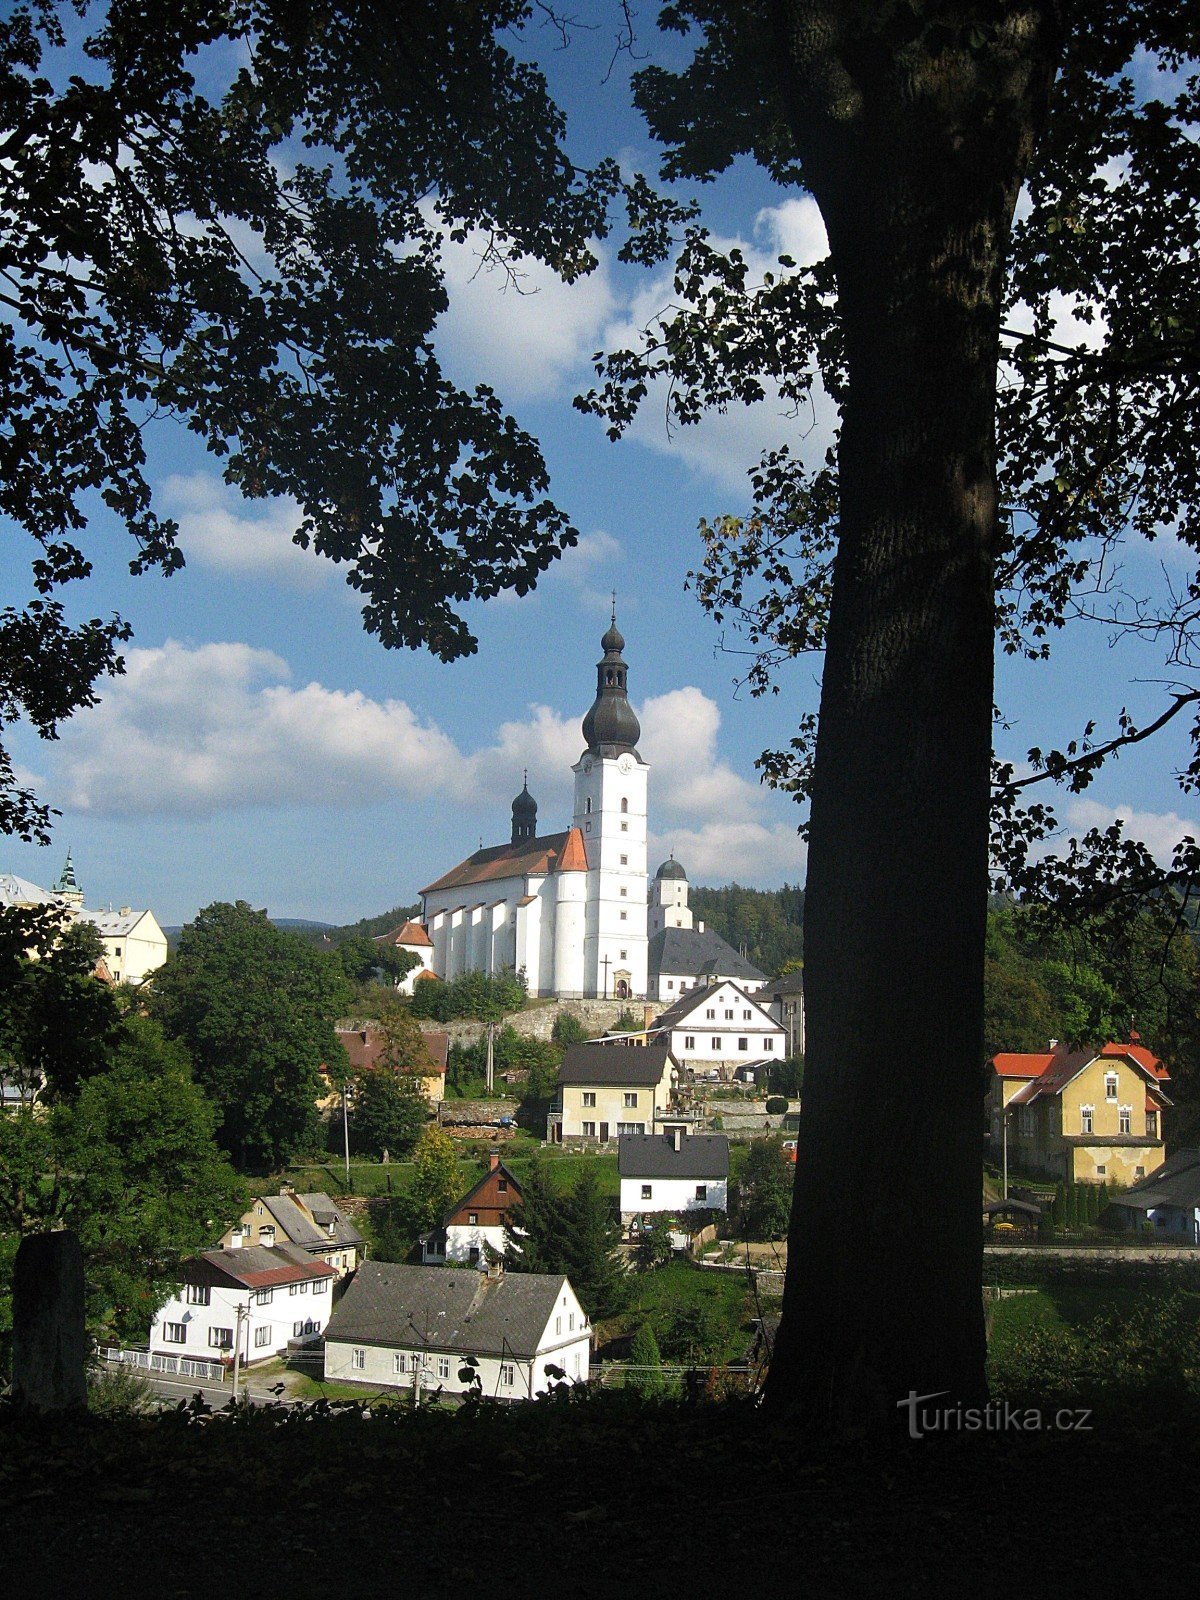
[{"x": 222, "y": 727}]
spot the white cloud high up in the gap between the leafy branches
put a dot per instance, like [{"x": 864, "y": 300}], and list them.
[{"x": 521, "y": 330}]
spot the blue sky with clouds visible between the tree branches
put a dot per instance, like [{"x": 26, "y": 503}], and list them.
[{"x": 263, "y": 746}]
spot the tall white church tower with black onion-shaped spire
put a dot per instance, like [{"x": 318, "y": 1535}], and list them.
[{"x": 610, "y": 812}]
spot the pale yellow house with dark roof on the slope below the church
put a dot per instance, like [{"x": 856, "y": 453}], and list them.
[{"x": 607, "y": 1090}]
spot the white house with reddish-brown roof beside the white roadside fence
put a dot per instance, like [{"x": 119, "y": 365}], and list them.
[{"x": 262, "y": 1295}]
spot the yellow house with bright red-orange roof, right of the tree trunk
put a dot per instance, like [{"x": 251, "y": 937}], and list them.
[{"x": 1082, "y": 1116}]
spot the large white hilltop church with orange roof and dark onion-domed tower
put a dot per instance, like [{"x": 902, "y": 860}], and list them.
[{"x": 570, "y": 910}]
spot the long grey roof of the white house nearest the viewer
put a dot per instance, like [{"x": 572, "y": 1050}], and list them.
[{"x": 441, "y": 1310}]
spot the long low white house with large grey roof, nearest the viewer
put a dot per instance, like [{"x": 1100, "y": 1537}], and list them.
[{"x": 417, "y": 1327}]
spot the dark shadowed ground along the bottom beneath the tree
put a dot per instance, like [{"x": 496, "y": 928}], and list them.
[{"x": 598, "y": 1498}]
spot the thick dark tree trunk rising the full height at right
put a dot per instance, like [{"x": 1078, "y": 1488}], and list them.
[{"x": 916, "y": 154}]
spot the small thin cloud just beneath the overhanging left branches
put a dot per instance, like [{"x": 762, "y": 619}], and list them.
[{"x": 218, "y": 530}]
